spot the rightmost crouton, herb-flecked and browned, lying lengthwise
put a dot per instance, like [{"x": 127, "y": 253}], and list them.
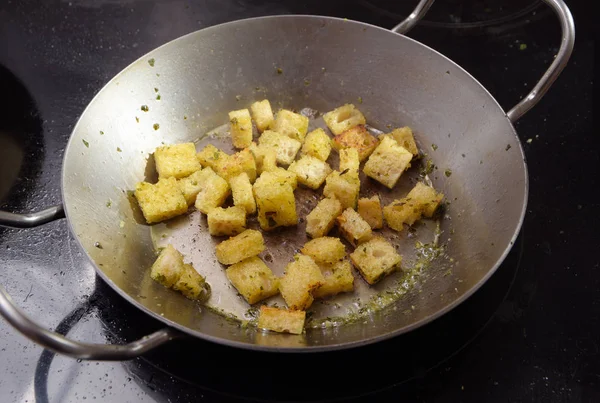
[{"x": 422, "y": 200}]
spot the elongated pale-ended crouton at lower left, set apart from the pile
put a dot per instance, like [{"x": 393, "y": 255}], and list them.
[{"x": 170, "y": 271}]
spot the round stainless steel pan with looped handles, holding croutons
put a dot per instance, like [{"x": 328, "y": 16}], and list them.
[{"x": 324, "y": 62}]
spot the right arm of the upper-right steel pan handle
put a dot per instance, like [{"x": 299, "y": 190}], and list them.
[{"x": 560, "y": 61}]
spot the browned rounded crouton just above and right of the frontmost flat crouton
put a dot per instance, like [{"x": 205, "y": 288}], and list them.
[{"x": 302, "y": 277}]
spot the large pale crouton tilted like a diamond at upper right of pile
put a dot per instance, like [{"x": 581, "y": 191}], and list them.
[{"x": 388, "y": 162}]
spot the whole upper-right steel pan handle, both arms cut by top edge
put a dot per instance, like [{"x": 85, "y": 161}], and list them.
[{"x": 560, "y": 61}]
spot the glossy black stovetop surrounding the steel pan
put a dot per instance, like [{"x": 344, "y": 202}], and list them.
[{"x": 531, "y": 333}]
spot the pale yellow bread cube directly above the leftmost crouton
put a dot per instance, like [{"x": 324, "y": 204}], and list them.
[{"x": 177, "y": 160}]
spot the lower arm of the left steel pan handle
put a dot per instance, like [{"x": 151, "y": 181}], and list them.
[{"x": 86, "y": 351}]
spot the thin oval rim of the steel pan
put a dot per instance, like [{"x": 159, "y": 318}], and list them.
[{"x": 314, "y": 348}]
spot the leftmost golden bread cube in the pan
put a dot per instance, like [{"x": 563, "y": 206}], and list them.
[{"x": 160, "y": 201}]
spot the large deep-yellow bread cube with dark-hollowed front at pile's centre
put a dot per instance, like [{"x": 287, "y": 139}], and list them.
[{"x": 276, "y": 204}]
